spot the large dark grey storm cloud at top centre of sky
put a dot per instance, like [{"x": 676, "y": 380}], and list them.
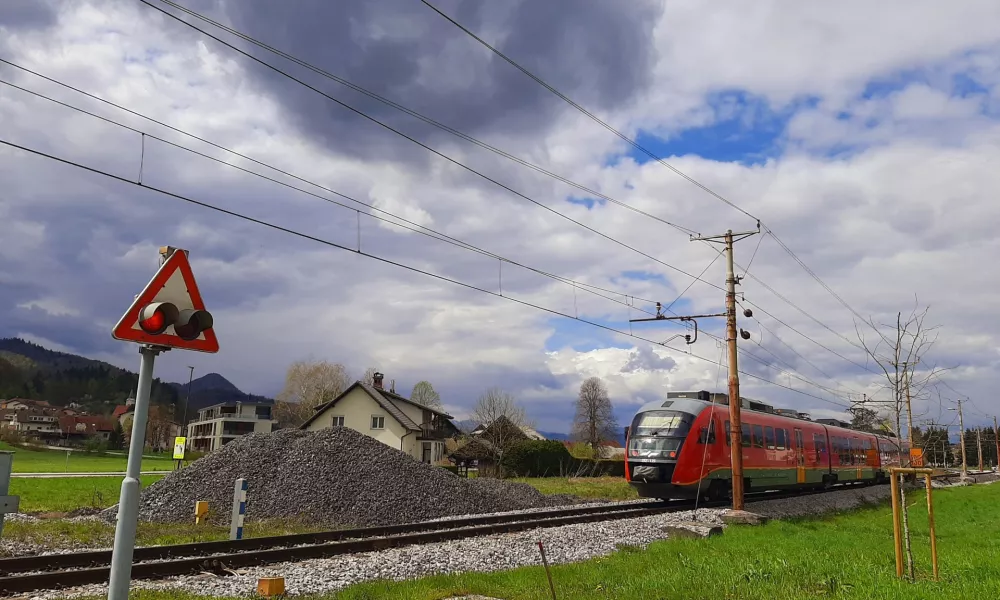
[{"x": 598, "y": 52}]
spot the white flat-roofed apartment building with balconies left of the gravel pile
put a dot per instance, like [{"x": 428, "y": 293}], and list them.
[{"x": 222, "y": 423}]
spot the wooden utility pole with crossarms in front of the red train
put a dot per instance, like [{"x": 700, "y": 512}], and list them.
[{"x": 735, "y": 428}]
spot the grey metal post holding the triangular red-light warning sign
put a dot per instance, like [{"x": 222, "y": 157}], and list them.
[{"x": 128, "y": 504}]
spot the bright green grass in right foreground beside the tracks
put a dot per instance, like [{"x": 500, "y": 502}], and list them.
[{"x": 842, "y": 556}]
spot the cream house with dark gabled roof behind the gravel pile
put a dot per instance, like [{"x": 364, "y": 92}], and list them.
[{"x": 388, "y": 417}]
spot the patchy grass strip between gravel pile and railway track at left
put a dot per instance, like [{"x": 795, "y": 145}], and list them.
[{"x": 60, "y": 533}]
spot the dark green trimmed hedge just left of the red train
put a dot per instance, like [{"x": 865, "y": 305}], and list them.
[{"x": 550, "y": 458}]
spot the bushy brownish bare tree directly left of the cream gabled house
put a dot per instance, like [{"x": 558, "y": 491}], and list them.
[{"x": 308, "y": 385}]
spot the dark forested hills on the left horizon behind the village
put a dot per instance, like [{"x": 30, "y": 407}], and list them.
[{"x": 28, "y": 370}]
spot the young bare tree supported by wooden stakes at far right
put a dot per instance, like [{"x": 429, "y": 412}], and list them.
[{"x": 898, "y": 351}]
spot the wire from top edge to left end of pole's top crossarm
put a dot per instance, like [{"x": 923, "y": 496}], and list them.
[{"x": 421, "y": 117}]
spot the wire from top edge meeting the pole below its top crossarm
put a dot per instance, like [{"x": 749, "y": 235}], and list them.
[{"x": 425, "y": 146}]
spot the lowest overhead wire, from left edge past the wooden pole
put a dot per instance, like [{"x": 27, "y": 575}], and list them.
[{"x": 366, "y": 254}]
